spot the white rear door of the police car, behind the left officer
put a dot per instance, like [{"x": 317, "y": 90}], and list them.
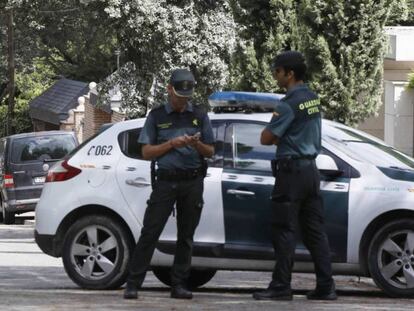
[{"x": 134, "y": 178}]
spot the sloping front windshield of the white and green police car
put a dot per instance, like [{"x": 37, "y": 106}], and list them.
[{"x": 366, "y": 148}]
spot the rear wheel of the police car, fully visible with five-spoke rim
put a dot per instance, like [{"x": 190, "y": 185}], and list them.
[{"x": 95, "y": 253}]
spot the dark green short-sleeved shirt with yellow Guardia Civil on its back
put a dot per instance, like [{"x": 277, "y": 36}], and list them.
[{"x": 297, "y": 122}]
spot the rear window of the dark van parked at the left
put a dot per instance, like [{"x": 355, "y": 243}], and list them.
[{"x": 40, "y": 148}]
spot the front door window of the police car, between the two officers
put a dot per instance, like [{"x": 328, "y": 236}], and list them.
[{"x": 243, "y": 149}]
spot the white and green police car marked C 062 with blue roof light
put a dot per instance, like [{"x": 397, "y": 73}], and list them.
[{"x": 91, "y": 209}]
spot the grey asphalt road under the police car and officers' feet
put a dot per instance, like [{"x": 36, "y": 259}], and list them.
[{"x": 31, "y": 280}]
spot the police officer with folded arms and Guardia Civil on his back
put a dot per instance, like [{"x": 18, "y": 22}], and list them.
[{"x": 295, "y": 128}]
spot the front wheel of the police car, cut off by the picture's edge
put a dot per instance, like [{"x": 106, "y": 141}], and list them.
[{"x": 391, "y": 258}]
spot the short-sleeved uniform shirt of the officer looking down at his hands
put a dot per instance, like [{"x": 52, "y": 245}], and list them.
[{"x": 164, "y": 123}]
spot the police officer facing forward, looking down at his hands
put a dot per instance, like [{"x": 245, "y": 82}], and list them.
[{"x": 177, "y": 136}]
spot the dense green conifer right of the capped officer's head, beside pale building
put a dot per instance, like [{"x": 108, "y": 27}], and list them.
[{"x": 345, "y": 44}]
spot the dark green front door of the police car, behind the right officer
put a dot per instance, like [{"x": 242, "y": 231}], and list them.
[{"x": 247, "y": 185}]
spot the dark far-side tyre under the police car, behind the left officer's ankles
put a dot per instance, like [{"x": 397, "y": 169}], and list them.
[{"x": 198, "y": 277}]
